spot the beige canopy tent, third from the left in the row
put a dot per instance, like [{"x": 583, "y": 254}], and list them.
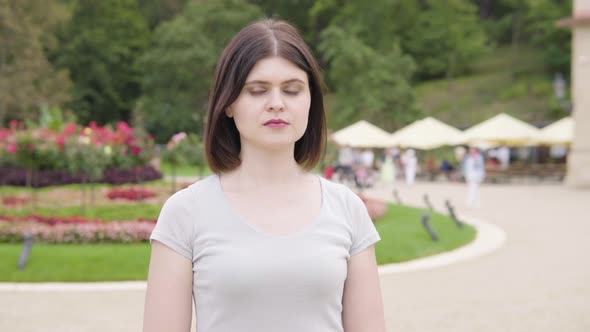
[{"x": 502, "y": 129}]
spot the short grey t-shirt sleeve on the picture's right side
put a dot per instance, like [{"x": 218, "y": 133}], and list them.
[{"x": 364, "y": 233}]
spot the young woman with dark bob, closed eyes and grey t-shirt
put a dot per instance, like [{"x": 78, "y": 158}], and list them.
[{"x": 263, "y": 244}]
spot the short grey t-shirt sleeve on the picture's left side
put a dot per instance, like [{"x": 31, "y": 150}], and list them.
[{"x": 174, "y": 227}]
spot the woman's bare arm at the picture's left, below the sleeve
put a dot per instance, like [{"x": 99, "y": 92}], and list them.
[{"x": 168, "y": 301}]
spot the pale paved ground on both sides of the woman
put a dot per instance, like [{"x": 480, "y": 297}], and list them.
[{"x": 538, "y": 281}]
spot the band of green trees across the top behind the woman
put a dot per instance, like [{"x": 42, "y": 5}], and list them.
[{"x": 153, "y": 60}]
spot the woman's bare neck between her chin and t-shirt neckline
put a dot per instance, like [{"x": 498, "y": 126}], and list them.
[{"x": 264, "y": 168}]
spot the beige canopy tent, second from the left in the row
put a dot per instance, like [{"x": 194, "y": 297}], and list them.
[{"x": 425, "y": 134}]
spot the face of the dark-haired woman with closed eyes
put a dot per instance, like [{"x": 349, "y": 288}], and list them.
[{"x": 272, "y": 109}]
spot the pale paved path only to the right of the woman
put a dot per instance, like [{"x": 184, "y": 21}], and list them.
[{"x": 538, "y": 281}]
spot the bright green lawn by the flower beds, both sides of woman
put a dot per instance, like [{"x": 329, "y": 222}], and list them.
[{"x": 403, "y": 238}]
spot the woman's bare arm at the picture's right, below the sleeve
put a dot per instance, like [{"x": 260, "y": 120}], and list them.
[{"x": 362, "y": 306}]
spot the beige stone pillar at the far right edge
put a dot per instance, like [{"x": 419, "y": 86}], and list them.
[{"x": 578, "y": 166}]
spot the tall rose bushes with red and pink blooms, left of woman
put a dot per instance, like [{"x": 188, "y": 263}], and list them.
[{"x": 69, "y": 153}]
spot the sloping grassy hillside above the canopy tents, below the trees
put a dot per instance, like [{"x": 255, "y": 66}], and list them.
[{"x": 497, "y": 83}]
